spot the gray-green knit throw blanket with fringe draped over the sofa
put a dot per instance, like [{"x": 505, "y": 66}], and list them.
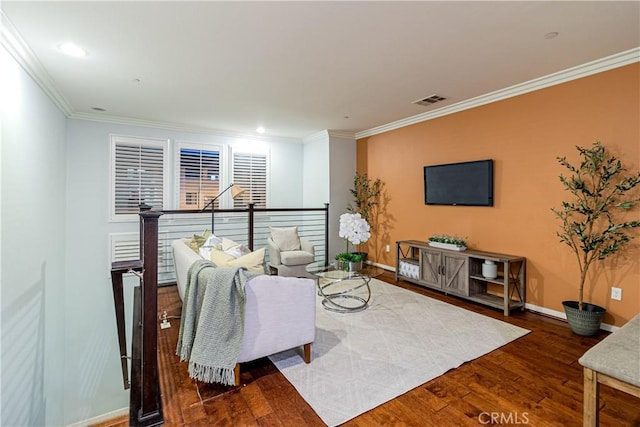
[{"x": 212, "y": 323}]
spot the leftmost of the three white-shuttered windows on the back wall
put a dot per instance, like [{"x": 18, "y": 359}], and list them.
[{"x": 138, "y": 174}]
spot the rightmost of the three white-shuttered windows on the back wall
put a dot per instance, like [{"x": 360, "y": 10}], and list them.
[{"x": 250, "y": 173}]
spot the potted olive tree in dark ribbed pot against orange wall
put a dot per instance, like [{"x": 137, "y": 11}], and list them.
[{"x": 600, "y": 190}]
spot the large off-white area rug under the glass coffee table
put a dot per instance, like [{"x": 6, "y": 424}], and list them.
[{"x": 361, "y": 360}]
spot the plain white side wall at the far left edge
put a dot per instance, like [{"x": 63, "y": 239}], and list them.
[{"x": 32, "y": 263}]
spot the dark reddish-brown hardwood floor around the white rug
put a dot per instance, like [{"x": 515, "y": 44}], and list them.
[{"x": 535, "y": 380}]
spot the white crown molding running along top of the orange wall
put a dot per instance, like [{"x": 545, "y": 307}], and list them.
[{"x": 607, "y": 63}]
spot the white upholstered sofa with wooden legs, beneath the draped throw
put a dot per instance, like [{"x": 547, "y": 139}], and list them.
[{"x": 280, "y": 312}]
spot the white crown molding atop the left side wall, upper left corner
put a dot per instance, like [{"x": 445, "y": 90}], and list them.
[{"x": 22, "y": 53}]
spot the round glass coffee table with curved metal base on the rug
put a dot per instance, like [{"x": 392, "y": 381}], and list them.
[{"x": 343, "y": 291}]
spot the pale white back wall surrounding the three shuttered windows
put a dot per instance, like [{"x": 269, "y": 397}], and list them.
[{"x": 94, "y": 383}]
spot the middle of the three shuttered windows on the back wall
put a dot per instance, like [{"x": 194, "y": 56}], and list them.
[{"x": 199, "y": 177}]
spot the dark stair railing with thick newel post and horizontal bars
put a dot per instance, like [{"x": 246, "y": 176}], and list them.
[{"x": 145, "y": 404}]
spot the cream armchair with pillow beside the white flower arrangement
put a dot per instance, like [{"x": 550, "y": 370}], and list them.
[{"x": 289, "y": 254}]
